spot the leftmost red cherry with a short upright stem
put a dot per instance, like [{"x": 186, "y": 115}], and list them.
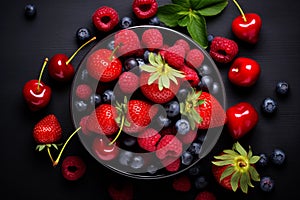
[{"x": 36, "y": 93}]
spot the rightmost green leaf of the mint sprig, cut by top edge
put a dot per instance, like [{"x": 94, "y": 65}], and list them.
[{"x": 216, "y": 7}]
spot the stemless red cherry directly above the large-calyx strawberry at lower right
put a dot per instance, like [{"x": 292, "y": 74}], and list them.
[{"x": 241, "y": 118}]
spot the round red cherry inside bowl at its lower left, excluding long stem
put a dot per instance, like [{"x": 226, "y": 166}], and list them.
[{"x": 105, "y": 150}]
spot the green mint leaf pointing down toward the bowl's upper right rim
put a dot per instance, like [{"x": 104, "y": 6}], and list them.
[{"x": 197, "y": 30}]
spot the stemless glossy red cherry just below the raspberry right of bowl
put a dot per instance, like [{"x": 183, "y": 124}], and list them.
[{"x": 244, "y": 72}]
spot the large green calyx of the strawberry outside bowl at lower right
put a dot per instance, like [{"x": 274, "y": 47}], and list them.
[{"x": 240, "y": 167}]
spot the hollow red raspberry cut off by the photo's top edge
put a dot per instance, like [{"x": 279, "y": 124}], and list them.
[{"x": 144, "y": 9}]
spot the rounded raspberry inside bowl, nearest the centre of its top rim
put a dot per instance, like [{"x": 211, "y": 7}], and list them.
[{"x": 152, "y": 39}]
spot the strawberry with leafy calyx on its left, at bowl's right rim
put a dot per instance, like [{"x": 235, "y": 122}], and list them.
[{"x": 203, "y": 110}]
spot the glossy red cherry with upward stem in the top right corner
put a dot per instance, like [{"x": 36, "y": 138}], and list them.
[{"x": 247, "y": 26}]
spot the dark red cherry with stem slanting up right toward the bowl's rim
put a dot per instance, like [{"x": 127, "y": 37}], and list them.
[{"x": 60, "y": 67}]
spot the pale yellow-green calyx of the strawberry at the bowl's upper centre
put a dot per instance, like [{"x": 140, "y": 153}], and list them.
[{"x": 161, "y": 72}]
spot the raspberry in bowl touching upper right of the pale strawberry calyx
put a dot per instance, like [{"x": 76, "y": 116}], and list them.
[{"x": 174, "y": 56}]
